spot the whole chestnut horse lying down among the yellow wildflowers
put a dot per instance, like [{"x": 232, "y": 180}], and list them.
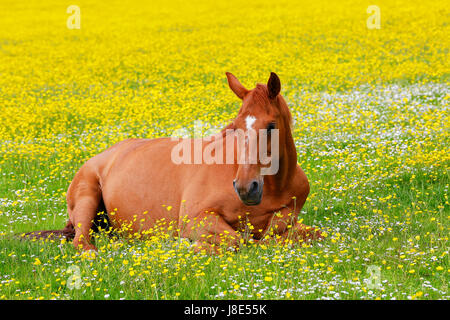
[{"x": 133, "y": 179}]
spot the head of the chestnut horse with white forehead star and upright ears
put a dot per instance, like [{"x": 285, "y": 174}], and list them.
[{"x": 262, "y": 123}]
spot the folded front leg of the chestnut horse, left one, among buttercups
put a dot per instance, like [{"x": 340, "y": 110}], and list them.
[{"x": 209, "y": 231}]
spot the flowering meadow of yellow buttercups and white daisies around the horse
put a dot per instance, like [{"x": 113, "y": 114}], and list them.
[{"x": 371, "y": 126}]
